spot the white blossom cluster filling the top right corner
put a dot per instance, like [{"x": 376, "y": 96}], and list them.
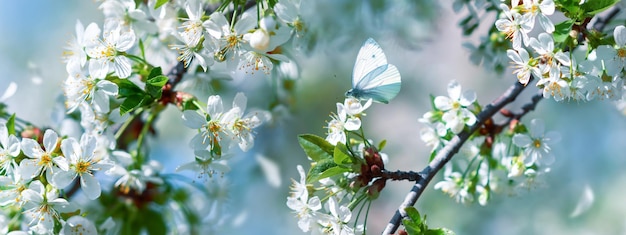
[{"x": 564, "y": 69}]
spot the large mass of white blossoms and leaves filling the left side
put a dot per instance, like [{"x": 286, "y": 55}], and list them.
[{"x": 118, "y": 83}]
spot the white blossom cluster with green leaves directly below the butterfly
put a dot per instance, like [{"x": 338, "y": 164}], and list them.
[{"x": 342, "y": 178}]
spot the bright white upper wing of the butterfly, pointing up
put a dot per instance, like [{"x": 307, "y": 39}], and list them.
[{"x": 370, "y": 57}]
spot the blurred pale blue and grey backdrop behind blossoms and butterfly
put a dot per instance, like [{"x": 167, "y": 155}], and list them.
[{"x": 425, "y": 43}]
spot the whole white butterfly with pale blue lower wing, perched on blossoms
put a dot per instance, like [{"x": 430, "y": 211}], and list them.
[{"x": 372, "y": 77}]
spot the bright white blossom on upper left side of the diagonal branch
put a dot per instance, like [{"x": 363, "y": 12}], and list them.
[{"x": 456, "y": 113}]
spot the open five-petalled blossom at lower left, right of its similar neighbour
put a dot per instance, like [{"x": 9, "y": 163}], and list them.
[{"x": 82, "y": 164}]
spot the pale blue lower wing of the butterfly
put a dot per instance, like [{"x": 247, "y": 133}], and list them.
[{"x": 381, "y": 84}]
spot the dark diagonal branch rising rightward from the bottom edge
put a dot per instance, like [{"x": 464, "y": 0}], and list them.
[{"x": 447, "y": 152}]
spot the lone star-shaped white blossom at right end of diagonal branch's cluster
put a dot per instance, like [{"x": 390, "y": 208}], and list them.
[{"x": 536, "y": 144}]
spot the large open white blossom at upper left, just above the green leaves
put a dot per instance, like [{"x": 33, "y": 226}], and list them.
[{"x": 107, "y": 54}]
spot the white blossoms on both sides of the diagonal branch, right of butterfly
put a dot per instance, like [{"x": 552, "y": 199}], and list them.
[{"x": 488, "y": 159}]
